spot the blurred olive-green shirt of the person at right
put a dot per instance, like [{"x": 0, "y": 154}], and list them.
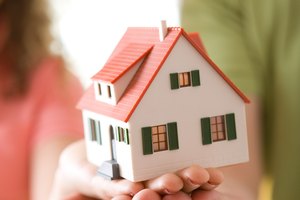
[{"x": 257, "y": 44}]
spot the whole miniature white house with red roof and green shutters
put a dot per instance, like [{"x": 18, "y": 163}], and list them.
[{"x": 160, "y": 104}]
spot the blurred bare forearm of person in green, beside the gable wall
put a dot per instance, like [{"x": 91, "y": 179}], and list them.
[{"x": 244, "y": 179}]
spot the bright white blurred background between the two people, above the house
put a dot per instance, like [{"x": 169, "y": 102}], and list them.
[{"x": 88, "y": 30}]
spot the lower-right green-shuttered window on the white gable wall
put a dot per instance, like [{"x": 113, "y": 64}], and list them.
[{"x": 218, "y": 128}]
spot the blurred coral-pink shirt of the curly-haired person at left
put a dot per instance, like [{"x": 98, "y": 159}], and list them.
[{"x": 48, "y": 109}]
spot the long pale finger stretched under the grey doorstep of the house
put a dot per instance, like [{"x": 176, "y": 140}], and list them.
[{"x": 107, "y": 189}]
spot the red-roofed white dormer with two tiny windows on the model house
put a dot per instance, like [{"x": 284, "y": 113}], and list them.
[{"x": 112, "y": 80}]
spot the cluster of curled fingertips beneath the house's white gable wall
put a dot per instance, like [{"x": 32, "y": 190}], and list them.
[{"x": 192, "y": 182}]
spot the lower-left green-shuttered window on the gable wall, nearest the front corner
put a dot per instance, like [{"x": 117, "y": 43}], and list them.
[{"x": 160, "y": 138}]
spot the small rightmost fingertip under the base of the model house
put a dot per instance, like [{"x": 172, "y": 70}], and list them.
[{"x": 216, "y": 177}]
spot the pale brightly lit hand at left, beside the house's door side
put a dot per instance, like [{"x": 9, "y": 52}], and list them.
[{"x": 76, "y": 179}]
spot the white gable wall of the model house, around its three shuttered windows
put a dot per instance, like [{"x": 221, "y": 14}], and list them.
[{"x": 186, "y": 106}]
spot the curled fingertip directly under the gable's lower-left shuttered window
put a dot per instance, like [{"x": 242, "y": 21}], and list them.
[{"x": 165, "y": 184}]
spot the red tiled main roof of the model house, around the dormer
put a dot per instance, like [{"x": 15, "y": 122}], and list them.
[{"x": 157, "y": 52}]
